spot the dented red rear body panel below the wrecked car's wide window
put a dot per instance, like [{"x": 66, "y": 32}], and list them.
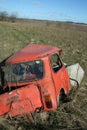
[{"x": 20, "y": 101}]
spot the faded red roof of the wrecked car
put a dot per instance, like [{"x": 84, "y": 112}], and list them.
[{"x": 32, "y": 52}]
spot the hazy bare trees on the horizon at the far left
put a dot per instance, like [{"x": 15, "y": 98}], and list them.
[{"x": 4, "y": 16}]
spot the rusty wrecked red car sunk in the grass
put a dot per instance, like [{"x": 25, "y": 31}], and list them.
[{"x": 32, "y": 80}]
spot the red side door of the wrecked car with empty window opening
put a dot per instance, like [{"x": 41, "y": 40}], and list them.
[{"x": 58, "y": 71}]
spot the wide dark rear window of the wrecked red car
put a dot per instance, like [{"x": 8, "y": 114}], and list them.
[{"x": 27, "y": 71}]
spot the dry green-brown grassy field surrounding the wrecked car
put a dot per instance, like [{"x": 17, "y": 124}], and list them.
[{"x": 72, "y": 38}]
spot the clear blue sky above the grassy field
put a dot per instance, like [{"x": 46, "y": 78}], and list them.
[{"x": 56, "y": 10}]
